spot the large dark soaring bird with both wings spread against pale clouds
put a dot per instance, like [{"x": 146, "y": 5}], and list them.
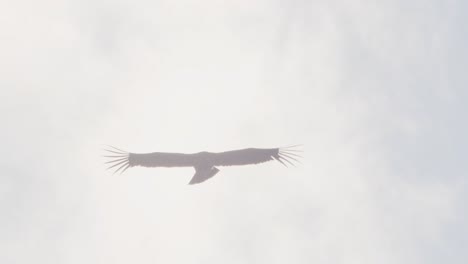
[{"x": 204, "y": 163}]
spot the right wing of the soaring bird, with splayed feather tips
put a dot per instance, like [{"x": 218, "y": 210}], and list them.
[{"x": 255, "y": 156}]
